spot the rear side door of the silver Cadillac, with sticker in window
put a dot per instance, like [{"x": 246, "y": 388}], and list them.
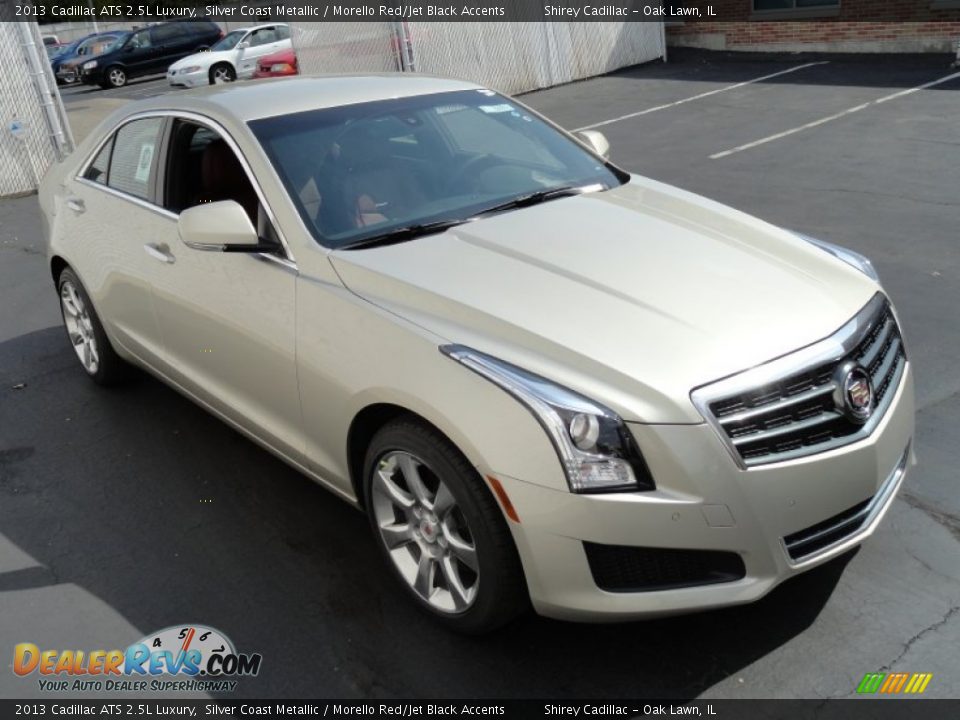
[{"x": 105, "y": 219}]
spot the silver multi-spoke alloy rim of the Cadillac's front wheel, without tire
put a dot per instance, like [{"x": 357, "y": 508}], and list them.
[{"x": 425, "y": 532}]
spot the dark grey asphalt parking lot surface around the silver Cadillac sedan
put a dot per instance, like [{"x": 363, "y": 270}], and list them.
[{"x": 103, "y": 535}]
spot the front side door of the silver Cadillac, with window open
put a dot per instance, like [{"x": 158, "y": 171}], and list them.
[{"x": 227, "y": 319}]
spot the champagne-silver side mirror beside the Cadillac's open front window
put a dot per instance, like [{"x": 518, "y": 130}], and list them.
[{"x": 220, "y": 227}]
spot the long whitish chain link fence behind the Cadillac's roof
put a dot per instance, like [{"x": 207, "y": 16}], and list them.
[{"x": 510, "y": 57}]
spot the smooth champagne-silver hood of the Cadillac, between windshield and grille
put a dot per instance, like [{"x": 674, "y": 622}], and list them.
[{"x": 633, "y": 296}]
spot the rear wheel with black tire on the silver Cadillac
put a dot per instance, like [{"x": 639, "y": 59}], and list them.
[{"x": 85, "y": 333}]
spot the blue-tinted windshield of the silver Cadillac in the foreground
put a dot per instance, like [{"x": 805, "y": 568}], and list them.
[{"x": 363, "y": 170}]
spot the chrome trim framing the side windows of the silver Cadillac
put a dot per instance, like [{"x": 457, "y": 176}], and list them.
[{"x": 288, "y": 261}]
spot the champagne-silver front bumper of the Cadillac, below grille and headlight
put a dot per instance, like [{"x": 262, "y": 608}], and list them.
[{"x": 704, "y": 501}]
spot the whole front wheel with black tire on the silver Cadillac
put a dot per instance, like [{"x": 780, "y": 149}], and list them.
[{"x": 489, "y": 597}]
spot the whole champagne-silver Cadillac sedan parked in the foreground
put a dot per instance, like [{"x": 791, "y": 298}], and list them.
[{"x": 545, "y": 380}]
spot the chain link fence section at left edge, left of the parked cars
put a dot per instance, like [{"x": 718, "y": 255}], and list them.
[{"x": 35, "y": 133}]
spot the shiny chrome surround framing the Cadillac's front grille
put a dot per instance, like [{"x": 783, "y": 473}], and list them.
[{"x": 830, "y": 349}]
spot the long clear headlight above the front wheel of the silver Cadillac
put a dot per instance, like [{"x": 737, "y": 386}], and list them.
[{"x": 596, "y": 450}]
